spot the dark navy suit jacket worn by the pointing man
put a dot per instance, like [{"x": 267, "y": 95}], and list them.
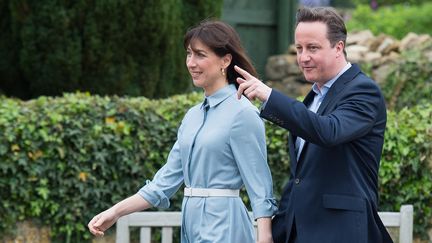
[{"x": 332, "y": 192}]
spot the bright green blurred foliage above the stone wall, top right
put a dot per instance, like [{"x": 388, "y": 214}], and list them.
[{"x": 396, "y": 20}]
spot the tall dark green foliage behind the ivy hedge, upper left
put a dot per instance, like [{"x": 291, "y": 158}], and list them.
[{"x": 105, "y": 47}]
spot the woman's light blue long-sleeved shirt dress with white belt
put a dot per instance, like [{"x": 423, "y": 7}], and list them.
[{"x": 220, "y": 145}]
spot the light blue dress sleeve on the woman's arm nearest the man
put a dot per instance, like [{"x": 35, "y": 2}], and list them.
[{"x": 248, "y": 144}]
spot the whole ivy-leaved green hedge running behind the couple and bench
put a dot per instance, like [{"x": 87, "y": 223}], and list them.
[{"x": 65, "y": 159}]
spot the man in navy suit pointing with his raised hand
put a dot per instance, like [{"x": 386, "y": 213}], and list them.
[{"x": 336, "y": 139}]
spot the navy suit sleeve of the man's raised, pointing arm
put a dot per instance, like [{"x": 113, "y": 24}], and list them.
[{"x": 355, "y": 111}]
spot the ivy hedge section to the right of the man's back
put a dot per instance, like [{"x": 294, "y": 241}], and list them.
[{"x": 405, "y": 173}]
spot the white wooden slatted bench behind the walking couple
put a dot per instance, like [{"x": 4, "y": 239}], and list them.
[{"x": 168, "y": 220}]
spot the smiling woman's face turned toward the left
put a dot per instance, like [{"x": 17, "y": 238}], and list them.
[{"x": 205, "y": 67}]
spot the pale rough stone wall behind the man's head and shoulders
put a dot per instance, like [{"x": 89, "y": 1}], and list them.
[{"x": 378, "y": 52}]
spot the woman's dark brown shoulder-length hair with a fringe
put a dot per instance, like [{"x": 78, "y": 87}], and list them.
[{"x": 222, "y": 39}]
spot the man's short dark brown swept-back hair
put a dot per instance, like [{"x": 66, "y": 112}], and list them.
[{"x": 336, "y": 30}]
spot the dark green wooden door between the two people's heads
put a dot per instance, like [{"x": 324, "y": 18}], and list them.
[{"x": 265, "y": 27}]
